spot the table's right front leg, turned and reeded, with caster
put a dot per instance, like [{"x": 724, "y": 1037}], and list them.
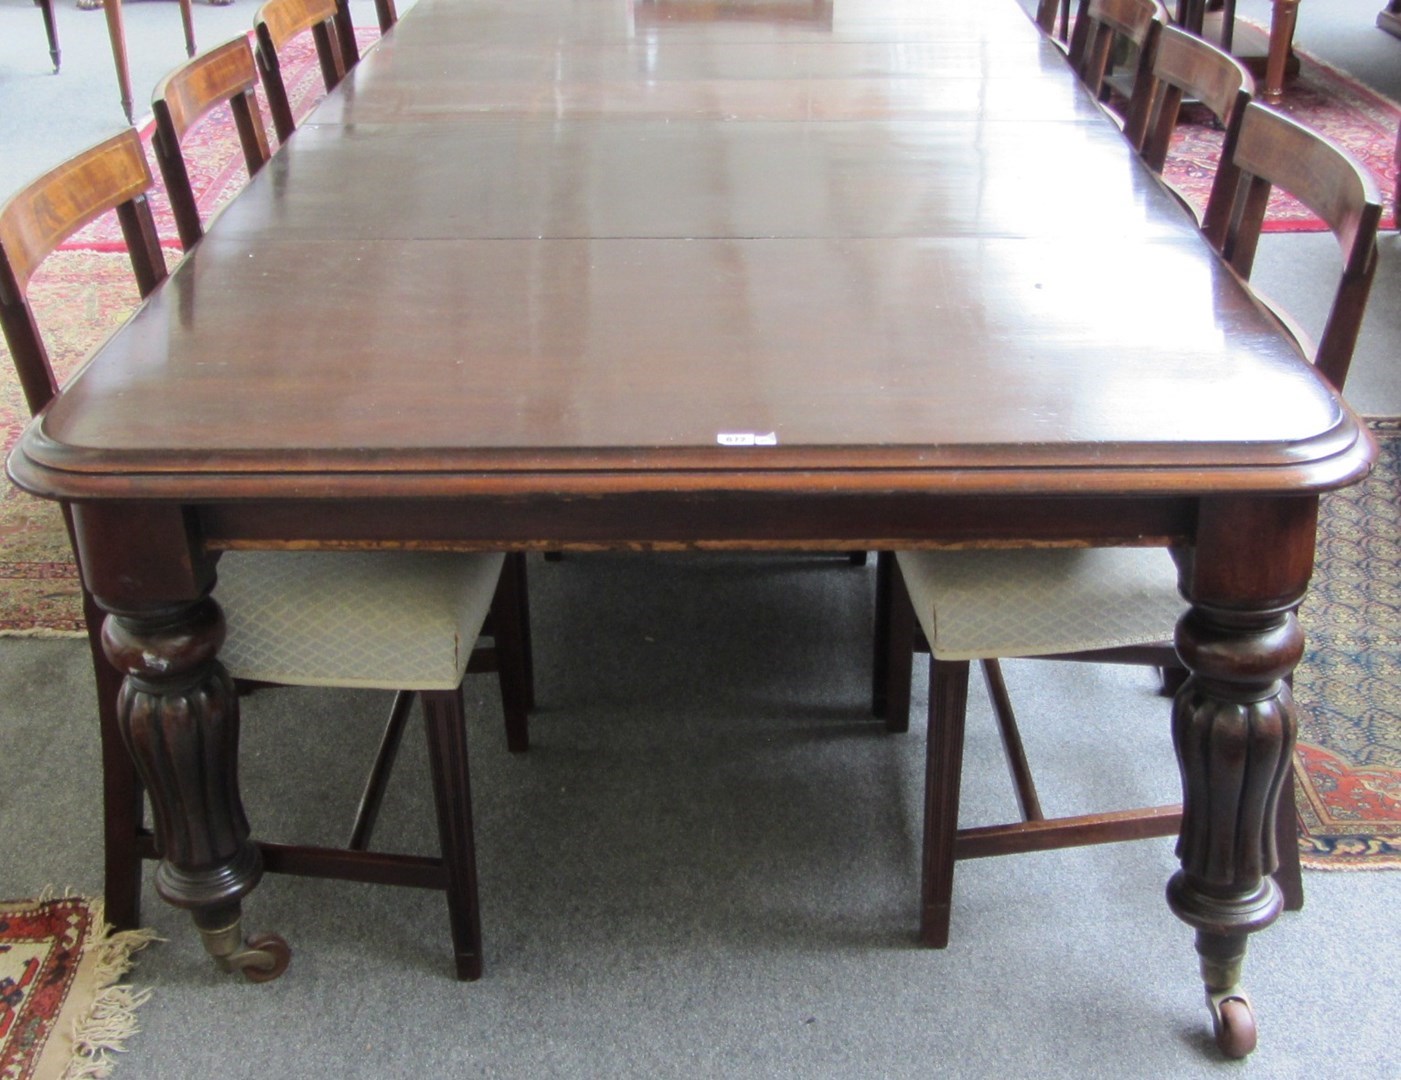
[{"x": 1234, "y": 728}]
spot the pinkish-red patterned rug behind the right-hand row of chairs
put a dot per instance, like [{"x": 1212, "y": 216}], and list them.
[{"x": 1322, "y": 97}]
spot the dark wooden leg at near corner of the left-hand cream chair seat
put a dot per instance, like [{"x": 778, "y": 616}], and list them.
[{"x": 453, "y": 795}]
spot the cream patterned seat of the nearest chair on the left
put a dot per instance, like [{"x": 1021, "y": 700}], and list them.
[{"x": 404, "y": 621}]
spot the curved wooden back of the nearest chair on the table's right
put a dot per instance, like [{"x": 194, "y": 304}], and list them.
[{"x": 1270, "y": 151}]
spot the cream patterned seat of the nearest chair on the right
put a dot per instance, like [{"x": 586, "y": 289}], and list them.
[{"x": 987, "y": 604}]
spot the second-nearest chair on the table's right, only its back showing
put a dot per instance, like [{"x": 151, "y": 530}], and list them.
[{"x": 1185, "y": 68}]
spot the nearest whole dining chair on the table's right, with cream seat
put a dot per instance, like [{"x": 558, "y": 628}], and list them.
[{"x": 1103, "y": 604}]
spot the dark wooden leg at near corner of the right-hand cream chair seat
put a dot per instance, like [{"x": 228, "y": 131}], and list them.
[{"x": 944, "y": 774}]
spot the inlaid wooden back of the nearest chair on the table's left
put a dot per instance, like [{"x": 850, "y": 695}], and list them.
[{"x": 111, "y": 176}]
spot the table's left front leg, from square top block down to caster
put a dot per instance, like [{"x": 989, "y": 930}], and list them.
[{"x": 177, "y": 712}]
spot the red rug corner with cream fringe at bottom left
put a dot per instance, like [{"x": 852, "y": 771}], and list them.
[{"x": 62, "y": 1011}]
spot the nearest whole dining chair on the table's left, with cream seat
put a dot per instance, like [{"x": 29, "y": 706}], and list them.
[{"x": 400, "y": 621}]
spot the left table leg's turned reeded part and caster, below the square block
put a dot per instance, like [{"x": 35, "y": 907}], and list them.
[{"x": 179, "y": 714}]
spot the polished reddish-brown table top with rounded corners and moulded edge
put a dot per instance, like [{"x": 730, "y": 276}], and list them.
[{"x": 529, "y": 237}]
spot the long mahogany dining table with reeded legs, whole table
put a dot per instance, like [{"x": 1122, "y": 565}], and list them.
[{"x": 830, "y": 275}]
